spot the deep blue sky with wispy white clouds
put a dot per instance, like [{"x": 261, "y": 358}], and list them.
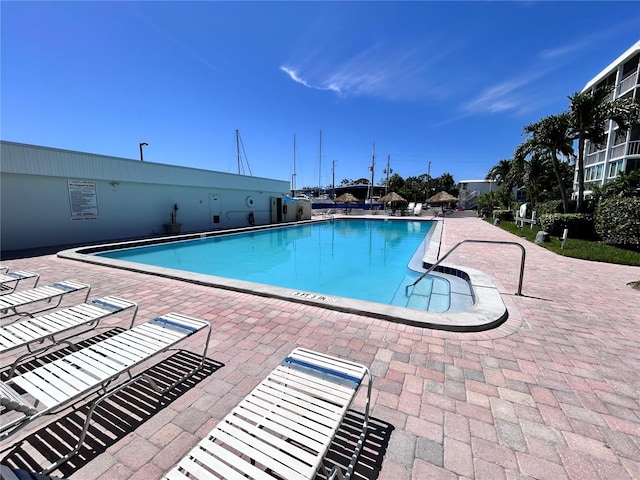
[{"x": 446, "y": 83}]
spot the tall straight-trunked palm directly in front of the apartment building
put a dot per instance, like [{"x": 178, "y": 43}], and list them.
[{"x": 589, "y": 113}]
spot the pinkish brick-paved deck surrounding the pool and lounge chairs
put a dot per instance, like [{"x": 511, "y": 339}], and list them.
[{"x": 552, "y": 393}]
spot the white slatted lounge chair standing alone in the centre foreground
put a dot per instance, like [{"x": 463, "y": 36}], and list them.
[{"x": 285, "y": 426}]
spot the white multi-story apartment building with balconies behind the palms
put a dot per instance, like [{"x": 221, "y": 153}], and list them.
[{"x": 620, "y": 152}]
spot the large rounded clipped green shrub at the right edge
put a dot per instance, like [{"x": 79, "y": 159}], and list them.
[{"x": 617, "y": 221}]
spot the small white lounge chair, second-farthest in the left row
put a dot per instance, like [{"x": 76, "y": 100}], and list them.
[{"x": 12, "y": 303}]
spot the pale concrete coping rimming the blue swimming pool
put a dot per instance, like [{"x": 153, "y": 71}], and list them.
[{"x": 481, "y": 306}]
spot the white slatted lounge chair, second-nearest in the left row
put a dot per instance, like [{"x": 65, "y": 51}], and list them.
[{"x": 44, "y": 330}]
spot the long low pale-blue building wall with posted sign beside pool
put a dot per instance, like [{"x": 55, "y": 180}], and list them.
[{"x": 133, "y": 199}]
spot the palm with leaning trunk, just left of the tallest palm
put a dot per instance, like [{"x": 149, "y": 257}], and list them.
[{"x": 549, "y": 138}]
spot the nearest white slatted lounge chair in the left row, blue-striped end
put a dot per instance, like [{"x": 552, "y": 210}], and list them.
[{"x": 97, "y": 371}]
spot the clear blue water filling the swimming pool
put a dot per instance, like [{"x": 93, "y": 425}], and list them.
[{"x": 356, "y": 258}]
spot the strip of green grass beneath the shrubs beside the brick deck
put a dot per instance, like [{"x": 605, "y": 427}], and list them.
[{"x": 575, "y": 248}]
